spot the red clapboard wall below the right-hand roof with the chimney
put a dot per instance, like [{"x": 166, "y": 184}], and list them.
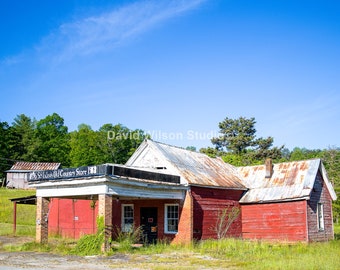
[{"x": 275, "y": 221}]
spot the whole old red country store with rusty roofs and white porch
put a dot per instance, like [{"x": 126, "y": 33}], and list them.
[{"x": 179, "y": 195}]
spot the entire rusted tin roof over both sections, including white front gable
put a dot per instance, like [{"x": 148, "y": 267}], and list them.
[{"x": 288, "y": 181}]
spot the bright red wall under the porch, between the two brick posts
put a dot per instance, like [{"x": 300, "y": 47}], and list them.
[{"x": 72, "y": 217}]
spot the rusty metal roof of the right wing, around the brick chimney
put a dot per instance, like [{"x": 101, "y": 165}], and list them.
[{"x": 289, "y": 181}]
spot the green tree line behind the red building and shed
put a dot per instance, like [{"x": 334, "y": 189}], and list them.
[{"x": 48, "y": 140}]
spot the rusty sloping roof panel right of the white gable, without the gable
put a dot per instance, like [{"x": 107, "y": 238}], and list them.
[{"x": 199, "y": 169}]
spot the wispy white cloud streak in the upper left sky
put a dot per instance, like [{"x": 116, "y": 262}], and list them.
[{"x": 105, "y": 31}]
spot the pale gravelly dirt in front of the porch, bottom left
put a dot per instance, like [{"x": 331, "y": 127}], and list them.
[{"x": 48, "y": 261}]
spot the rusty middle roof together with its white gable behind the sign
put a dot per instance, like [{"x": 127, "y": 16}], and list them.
[{"x": 195, "y": 168}]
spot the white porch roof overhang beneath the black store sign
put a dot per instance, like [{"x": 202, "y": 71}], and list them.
[{"x": 120, "y": 187}]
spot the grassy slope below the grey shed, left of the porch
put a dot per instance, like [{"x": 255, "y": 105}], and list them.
[{"x": 25, "y": 213}]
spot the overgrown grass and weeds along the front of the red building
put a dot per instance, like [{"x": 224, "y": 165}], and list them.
[{"x": 225, "y": 253}]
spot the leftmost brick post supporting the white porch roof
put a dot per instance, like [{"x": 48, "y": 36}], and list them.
[{"x": 42, "y": 220}]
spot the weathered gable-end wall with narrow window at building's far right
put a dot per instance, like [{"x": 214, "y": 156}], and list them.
[{"x": 320, "y": 194}]
